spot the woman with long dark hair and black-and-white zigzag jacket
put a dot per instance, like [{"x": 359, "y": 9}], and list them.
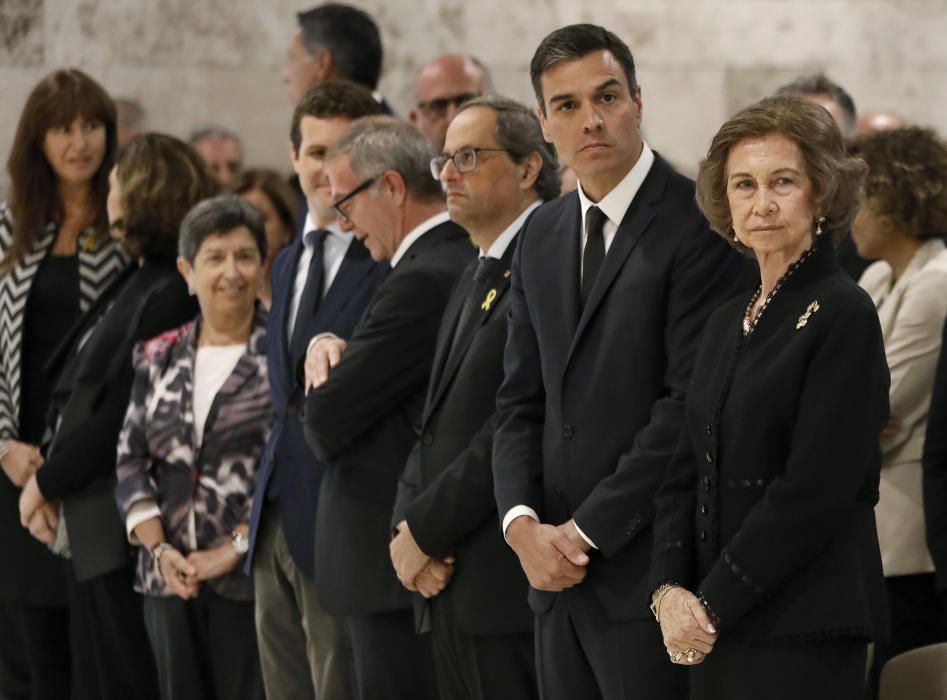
[{"x": 56, "y": 258}]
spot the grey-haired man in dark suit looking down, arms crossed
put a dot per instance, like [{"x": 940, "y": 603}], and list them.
[{"x": 368, "y": 394}]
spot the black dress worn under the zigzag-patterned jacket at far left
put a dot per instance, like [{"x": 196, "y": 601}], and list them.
[{"x": 33, "y": 615}]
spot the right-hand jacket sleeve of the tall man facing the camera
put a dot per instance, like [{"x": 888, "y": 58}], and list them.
[{"x": 705, "y": 273}]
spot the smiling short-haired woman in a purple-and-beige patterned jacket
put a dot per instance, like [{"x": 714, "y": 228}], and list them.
[{"x": 199, "y": 417}]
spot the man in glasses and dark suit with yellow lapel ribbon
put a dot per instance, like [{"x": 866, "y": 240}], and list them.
[{"x": 496, "y": 170}]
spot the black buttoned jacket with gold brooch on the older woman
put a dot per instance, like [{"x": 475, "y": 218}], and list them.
[{"x": 768, "y": 509}]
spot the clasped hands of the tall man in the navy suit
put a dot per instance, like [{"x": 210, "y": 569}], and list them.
[{"x": 553, "y": 557}]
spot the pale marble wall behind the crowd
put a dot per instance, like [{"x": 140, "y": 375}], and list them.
[{"x": 196, "y": 61}]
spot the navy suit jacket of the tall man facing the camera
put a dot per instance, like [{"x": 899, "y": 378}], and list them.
[{"x": 593, "y": 397}]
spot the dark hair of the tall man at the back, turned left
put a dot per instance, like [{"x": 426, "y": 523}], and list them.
[{"x": 351, "y": 37}]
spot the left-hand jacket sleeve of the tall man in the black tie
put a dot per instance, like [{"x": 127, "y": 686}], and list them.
[{"x": 521, "y": 404}]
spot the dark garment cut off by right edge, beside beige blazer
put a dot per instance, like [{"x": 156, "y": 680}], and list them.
[{"x": 935, "y": 470}]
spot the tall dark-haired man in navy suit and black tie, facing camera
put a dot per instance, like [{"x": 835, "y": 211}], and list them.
[{"x": 610, "y": 289}]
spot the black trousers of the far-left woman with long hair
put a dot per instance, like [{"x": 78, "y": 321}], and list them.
[{"x": 34, "y": 652}]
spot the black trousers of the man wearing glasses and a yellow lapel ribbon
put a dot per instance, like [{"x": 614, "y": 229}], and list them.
[{"x": 481, "y": 667}]
